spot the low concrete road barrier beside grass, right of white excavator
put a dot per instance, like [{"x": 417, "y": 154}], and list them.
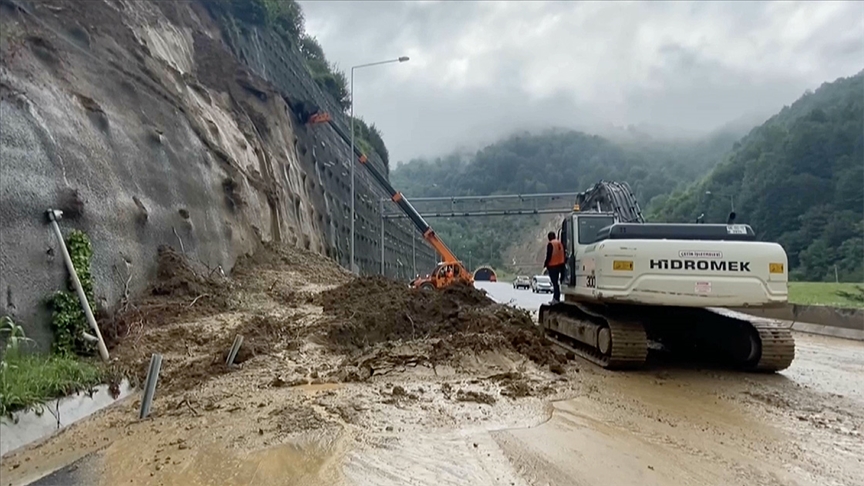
[{"x": 847, "y": 323}]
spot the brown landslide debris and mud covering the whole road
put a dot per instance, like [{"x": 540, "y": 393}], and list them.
[{"x": 362, "y": 381}]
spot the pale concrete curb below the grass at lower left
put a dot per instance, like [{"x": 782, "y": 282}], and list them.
[{"x": 27, "y": 427}]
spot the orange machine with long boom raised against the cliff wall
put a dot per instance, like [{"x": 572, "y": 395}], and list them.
[{"x": 450, "y": 269}]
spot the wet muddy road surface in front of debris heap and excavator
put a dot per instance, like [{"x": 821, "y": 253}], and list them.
[{"x": 663, "y": 426}]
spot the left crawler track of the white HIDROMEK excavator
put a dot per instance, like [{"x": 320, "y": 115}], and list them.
[{"x": 625, "y": 341}]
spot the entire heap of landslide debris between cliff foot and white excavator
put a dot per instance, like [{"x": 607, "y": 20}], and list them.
[{"x": 369, "y": 325}]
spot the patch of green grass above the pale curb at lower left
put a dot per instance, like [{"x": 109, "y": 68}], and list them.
[{"x": 28, "y": 380}]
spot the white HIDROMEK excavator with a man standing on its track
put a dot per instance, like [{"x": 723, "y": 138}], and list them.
[{"x": 630, "y": 286}]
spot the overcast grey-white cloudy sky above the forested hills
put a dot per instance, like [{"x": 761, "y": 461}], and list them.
[{"x": 480, "y": 70}]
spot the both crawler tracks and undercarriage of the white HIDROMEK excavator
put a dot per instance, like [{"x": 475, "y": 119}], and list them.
[{"x": 618, "y": 337}]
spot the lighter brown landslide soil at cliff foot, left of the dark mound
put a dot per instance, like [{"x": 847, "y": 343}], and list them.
[{"x": 191, "y": 313}]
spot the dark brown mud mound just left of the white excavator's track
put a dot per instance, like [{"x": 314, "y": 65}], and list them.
[{"x": 369, "y": 311}]
